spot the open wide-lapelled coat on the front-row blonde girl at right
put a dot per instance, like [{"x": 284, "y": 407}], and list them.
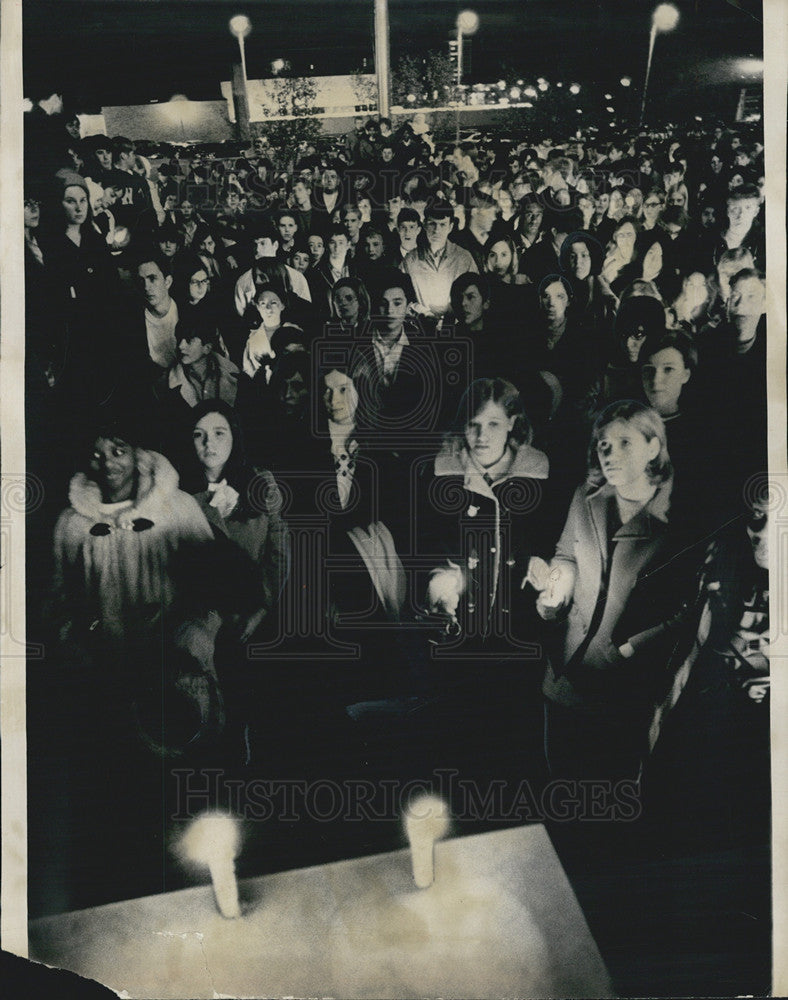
[{"x": 638, "y": 593}]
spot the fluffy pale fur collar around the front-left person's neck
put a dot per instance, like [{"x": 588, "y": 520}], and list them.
[{"x": 157, "y": 483}]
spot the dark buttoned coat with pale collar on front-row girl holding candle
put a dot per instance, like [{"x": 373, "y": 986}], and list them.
[{"x": 489, "y": 532}]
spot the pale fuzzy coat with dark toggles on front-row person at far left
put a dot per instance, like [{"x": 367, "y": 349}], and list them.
[{"x": 112, "y": 567}]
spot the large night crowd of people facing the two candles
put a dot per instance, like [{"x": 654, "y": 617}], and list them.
[{"x": 381, "y": 425}]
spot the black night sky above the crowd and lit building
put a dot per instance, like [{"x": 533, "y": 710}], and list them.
[{"x": 104, "y": 52}]
